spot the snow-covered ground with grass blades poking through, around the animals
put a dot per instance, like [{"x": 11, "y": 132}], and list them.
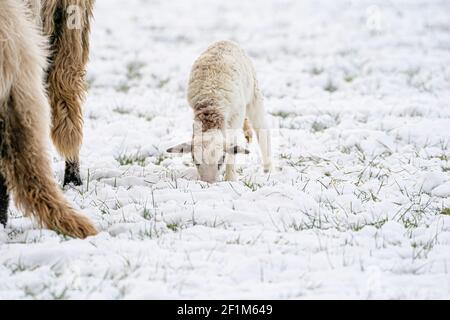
[{"x": 359, "y": 98}]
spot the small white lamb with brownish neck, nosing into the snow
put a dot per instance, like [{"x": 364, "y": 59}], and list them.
[{"x": 225, "y": 97}]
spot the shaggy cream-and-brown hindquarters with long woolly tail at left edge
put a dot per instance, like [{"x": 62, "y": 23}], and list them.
[{"x": 24, "y": 127}]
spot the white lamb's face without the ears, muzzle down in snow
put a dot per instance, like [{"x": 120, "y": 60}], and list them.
[{"x": 208, "y": 154}]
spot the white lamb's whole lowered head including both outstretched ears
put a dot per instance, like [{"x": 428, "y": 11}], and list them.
[{"x": 209, "y": 153}]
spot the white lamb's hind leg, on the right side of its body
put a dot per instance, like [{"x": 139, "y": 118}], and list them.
[{"x": 257, "y": 115}]
